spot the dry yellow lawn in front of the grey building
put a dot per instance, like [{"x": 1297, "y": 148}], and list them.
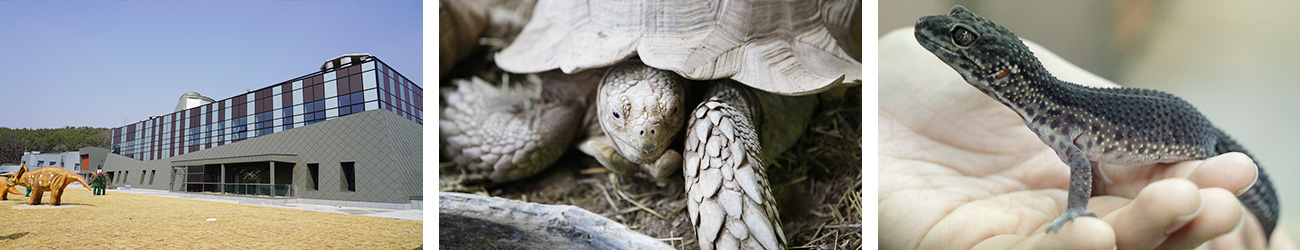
[{"x": 144, "y": 222}]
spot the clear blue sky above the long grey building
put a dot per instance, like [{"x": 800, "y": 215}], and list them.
[{"x": 111, "y": 64}]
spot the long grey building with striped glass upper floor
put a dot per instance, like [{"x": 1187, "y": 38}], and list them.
[{"x": 350, "y": 132}]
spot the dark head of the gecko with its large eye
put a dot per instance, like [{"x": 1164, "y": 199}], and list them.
[{"x": 983, "y": 53}]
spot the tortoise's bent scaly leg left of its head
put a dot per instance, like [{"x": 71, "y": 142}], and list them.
[{"x": 509, "y": 133}]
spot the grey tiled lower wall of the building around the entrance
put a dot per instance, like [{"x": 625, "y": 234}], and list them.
[{"x": 387, "y": 150}]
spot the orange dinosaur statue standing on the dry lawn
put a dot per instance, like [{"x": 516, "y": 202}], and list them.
[{"x": 49, "y": 179}]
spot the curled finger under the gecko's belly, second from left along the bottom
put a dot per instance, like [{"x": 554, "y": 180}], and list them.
[{"x": 1158, "y": 212}]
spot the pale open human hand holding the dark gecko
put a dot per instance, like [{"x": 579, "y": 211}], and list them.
[{"x": 960, "y": 171}]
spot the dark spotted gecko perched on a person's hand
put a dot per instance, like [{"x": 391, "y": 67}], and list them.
[{"x": 1084, "y": 126}]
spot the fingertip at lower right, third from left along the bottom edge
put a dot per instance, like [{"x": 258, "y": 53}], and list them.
[{"x": 1220, "y": 215}]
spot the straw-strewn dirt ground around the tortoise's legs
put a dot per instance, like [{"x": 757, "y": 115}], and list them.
[{"x": 818, "y": 186}]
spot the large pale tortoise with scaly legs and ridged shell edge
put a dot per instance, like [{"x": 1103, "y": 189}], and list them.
[{"x": 762, "y": 61}]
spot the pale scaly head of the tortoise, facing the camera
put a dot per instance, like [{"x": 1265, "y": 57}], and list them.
[{"x": 642, "y": 110}]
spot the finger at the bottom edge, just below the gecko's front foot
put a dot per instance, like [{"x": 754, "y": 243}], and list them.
[{"x": 1080, "y": 234}]
